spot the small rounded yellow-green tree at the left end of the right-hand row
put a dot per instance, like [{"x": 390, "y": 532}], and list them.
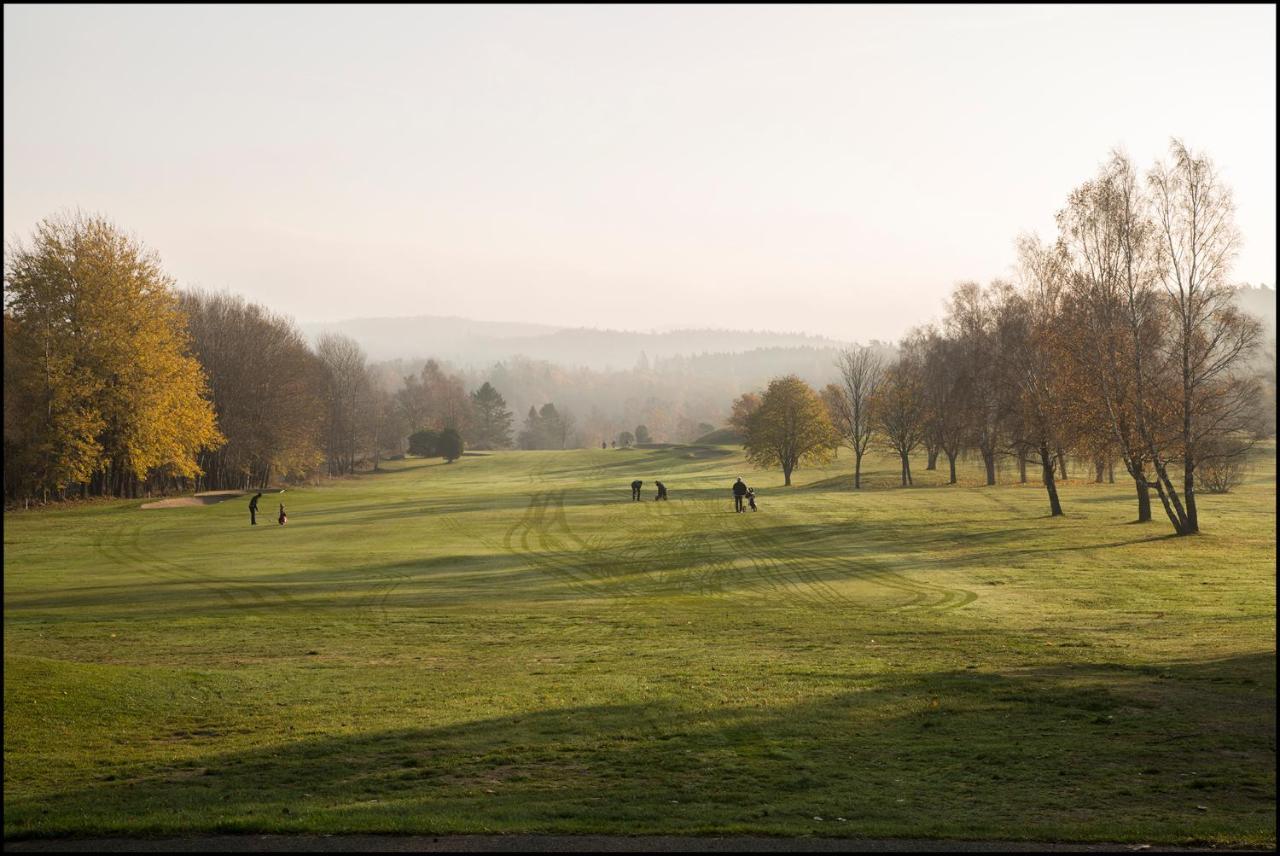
[{"x": 790, "y": 428}]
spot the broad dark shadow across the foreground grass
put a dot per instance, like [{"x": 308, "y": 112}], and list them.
[{"x": 1075, "y": 750}]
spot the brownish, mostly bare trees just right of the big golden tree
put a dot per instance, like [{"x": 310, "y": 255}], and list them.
[{"x": 290, "y": 411}]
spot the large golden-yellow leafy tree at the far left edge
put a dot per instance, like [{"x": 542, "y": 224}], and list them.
[{"x": 106, "y": 361}]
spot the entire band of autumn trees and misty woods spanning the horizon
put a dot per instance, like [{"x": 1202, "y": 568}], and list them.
[{"x": 1117, "y": 346}]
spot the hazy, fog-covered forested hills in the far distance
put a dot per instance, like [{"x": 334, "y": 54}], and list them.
[{"x": 678, "y": 383}]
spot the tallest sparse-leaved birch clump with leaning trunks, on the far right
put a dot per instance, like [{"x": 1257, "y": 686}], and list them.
[{"x": 1165, "y": 344}]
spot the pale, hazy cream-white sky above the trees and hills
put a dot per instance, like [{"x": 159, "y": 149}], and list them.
[{"x": 821, "y": 170}]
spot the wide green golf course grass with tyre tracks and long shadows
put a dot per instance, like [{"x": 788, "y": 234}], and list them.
[{"x": 509, "y": 644}]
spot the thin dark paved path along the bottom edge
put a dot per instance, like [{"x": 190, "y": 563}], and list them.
[{"x": 563, "y": 844}]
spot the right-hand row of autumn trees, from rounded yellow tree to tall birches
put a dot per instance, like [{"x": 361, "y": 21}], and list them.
[{"x": 1121, "y": 341}]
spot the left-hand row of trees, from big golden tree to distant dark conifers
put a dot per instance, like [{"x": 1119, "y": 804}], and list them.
[{"x": 120, "y": 384}]
